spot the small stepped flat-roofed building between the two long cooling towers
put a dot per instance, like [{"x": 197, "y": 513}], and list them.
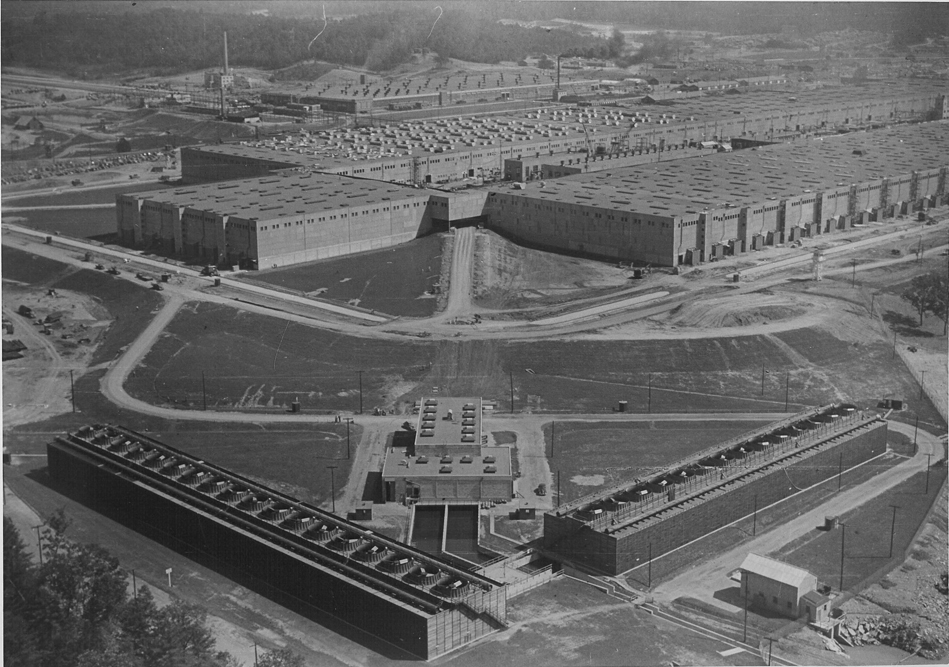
[{"x": 448, "y": 461}]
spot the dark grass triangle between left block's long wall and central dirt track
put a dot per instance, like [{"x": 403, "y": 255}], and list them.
[{"x": 390, "y": 280}]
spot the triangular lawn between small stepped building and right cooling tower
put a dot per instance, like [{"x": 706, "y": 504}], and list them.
[{"x": 591, "y": 455}]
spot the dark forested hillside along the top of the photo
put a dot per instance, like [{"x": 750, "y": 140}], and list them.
[{"x": 172, "y": 40}]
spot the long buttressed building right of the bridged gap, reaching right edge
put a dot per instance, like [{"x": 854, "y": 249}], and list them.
[{"x": 687, "y": 212}]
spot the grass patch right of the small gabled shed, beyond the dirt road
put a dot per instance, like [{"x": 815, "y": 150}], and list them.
[{"x": 867, "y": 540}]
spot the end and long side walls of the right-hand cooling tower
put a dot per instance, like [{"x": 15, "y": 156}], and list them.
[{"x": 624, "y": 550}]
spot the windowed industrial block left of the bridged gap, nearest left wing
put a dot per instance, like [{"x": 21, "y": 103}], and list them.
[{"x": 266, "y": 222}]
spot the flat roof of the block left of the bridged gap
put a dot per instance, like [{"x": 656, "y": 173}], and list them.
[{"x": 281, "y": 195}]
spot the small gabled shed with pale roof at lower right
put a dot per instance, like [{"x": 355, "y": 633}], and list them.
[{"x": 775, "y": 586}]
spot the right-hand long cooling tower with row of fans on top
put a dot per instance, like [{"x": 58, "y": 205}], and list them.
[{"x": 624, "y": 526}]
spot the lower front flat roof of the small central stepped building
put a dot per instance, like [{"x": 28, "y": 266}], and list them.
[{"x": 491, "y": 462}]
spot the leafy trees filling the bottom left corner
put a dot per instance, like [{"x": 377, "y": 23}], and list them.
[{"x": 73, "y": 610}]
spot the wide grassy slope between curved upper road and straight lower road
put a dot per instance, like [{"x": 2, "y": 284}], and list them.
[{"x": 257, "y": 361}]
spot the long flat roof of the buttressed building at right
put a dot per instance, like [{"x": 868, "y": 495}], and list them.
[{"x": 750, "y": 176}]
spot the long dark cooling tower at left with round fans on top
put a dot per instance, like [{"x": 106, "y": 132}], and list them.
[{"x": 311, "y": 560}]
